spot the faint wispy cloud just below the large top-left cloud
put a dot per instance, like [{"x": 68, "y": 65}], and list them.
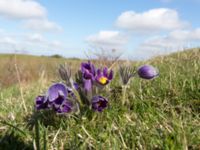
[{"x": 42, "y": 25}]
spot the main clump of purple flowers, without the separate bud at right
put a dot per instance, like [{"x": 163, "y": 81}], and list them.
[{"x": 62, "y": 98}]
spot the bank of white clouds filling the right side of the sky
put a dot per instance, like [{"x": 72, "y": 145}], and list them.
[{"x": 161, "y": 31}]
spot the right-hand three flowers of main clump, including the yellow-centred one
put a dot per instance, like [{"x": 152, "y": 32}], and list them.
[{"x": 92, "y": 80}]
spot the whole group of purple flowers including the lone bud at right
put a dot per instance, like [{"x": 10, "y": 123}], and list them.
[{"x": 87, "y": 87}]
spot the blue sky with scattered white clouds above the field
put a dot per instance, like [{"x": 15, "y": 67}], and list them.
[{"x": 72, "y": 28}]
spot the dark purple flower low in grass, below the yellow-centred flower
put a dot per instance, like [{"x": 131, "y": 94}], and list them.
[{"x": 99, "y": 103}]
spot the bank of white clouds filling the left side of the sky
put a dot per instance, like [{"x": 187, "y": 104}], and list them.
[{"x": 33, "y": 17}]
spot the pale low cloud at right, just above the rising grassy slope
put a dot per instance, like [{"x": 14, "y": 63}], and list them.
[{"x": 174, "y": 41}]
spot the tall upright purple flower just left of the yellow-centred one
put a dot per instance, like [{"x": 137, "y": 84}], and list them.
[{"x": 88, "y": 73}]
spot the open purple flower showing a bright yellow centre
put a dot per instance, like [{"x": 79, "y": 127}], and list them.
[{"x": 103, "y": 78}]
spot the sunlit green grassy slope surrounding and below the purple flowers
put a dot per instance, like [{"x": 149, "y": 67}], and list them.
[{"x": 161, "y": 114}]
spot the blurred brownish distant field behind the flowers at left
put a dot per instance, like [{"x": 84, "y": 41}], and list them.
[{"x": 30, "y": 68}]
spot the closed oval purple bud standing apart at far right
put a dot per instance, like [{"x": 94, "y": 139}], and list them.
[{"x": 147, "y": 72}]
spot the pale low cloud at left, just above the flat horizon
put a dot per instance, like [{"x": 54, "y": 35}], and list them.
[{"x": 34, "y": 43}]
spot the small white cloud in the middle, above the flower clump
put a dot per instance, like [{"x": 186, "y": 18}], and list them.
[{"x": 108, "y": 40}]
